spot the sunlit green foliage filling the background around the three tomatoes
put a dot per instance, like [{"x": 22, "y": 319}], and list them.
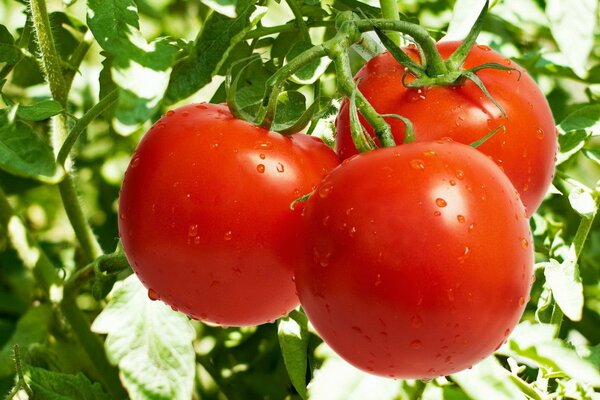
[{"x": 144, "y": 57}]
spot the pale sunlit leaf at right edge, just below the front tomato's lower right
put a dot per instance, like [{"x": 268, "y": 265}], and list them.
[{"x": 535, "y": 345}]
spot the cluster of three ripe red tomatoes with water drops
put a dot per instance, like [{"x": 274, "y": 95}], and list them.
[{"x": 410, "y": 261}]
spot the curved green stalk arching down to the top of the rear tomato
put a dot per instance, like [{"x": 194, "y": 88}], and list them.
[{"x": 434, "y": 62}]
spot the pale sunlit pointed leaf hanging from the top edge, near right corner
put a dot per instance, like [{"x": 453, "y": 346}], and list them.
[{"x": 573, "y": 25}]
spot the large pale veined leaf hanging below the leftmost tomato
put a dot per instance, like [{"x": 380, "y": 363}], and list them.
[{"x": 151, "y": 344}]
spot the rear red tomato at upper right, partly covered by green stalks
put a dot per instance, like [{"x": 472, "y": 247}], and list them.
[{"x": 525, "y": 149}]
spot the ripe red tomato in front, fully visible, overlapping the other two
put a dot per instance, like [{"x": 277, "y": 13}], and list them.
[{"x": 418, "y": 261}]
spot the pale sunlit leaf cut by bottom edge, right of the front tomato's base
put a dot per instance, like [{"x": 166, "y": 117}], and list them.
[{"x": 488, "y": 380}]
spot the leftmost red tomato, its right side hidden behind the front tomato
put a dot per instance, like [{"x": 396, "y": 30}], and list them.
[{"x": 205, "y": 215}]
